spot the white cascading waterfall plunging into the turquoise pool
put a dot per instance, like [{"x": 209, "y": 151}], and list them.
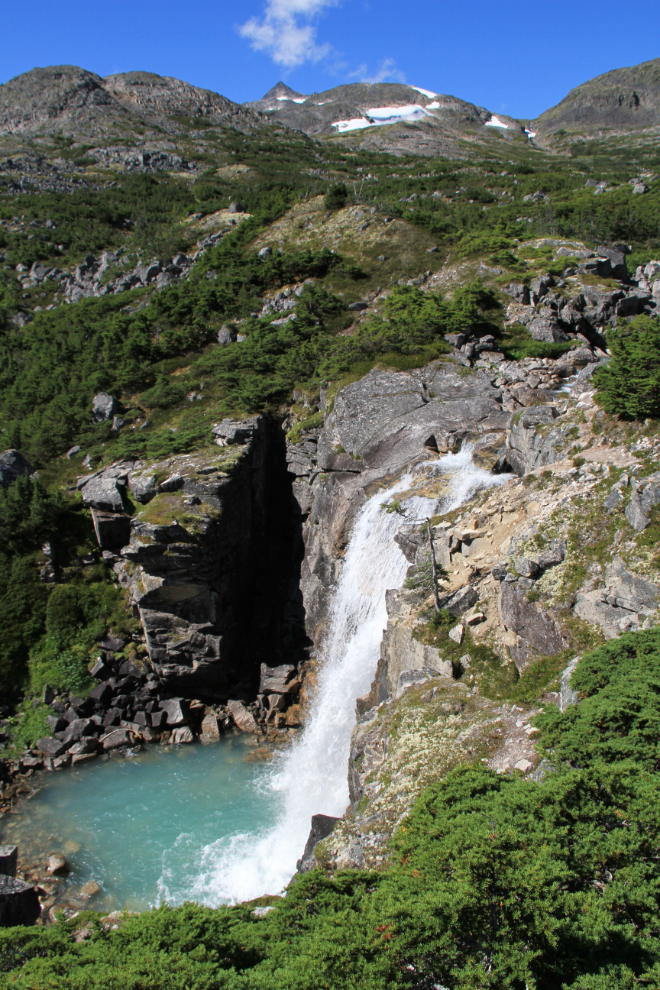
[{"x": 311, "y": 777}]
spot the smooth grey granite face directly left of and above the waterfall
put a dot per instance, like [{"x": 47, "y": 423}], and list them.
[{"x": 379, "y": 426}]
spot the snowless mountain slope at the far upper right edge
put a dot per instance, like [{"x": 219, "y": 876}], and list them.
[{"x": 618, "y": 102}]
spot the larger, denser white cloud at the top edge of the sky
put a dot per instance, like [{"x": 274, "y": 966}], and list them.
[{"x": 285, "y": 31}]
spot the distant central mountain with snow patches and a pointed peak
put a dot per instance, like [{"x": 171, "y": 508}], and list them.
[{"x": 388, "y": 116}]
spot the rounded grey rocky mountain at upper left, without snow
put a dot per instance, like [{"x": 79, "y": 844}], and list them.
[{"x": 72, "y": 102}]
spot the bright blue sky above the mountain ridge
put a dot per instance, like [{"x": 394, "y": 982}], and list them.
[{"x": 510, "y": 56}]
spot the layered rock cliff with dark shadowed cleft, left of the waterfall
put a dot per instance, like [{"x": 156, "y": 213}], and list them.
[{"x": 192, "y": 540}]
